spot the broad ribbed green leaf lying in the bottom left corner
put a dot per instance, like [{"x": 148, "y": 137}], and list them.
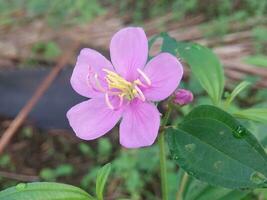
[{"x": 44, "y": 191}]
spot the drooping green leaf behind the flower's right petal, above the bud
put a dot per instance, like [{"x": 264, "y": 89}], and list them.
[{"x": 204, "y": 64}]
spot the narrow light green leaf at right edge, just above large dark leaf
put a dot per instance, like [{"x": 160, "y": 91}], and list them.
[{"x": 254, "y": 114}]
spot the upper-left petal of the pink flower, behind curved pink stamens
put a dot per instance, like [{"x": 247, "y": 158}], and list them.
[{"x": 89, "y": 60}]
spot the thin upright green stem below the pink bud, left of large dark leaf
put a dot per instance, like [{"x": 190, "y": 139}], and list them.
[{"x": 162, "y": 155}]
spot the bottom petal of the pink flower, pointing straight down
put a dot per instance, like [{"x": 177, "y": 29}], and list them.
[{"x": 140, "y": 125}]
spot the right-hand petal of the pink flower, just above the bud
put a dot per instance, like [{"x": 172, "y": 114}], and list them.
[{"x": 165, "y": 73}]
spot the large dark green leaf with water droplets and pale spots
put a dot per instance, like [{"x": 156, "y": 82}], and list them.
[{"x": 214, "y": 147}]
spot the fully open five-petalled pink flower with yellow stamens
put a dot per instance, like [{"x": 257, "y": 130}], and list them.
[{"x": 123, "y": 90}]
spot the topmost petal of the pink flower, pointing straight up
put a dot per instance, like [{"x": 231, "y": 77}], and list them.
[{"x": 129, "y": 51}]
